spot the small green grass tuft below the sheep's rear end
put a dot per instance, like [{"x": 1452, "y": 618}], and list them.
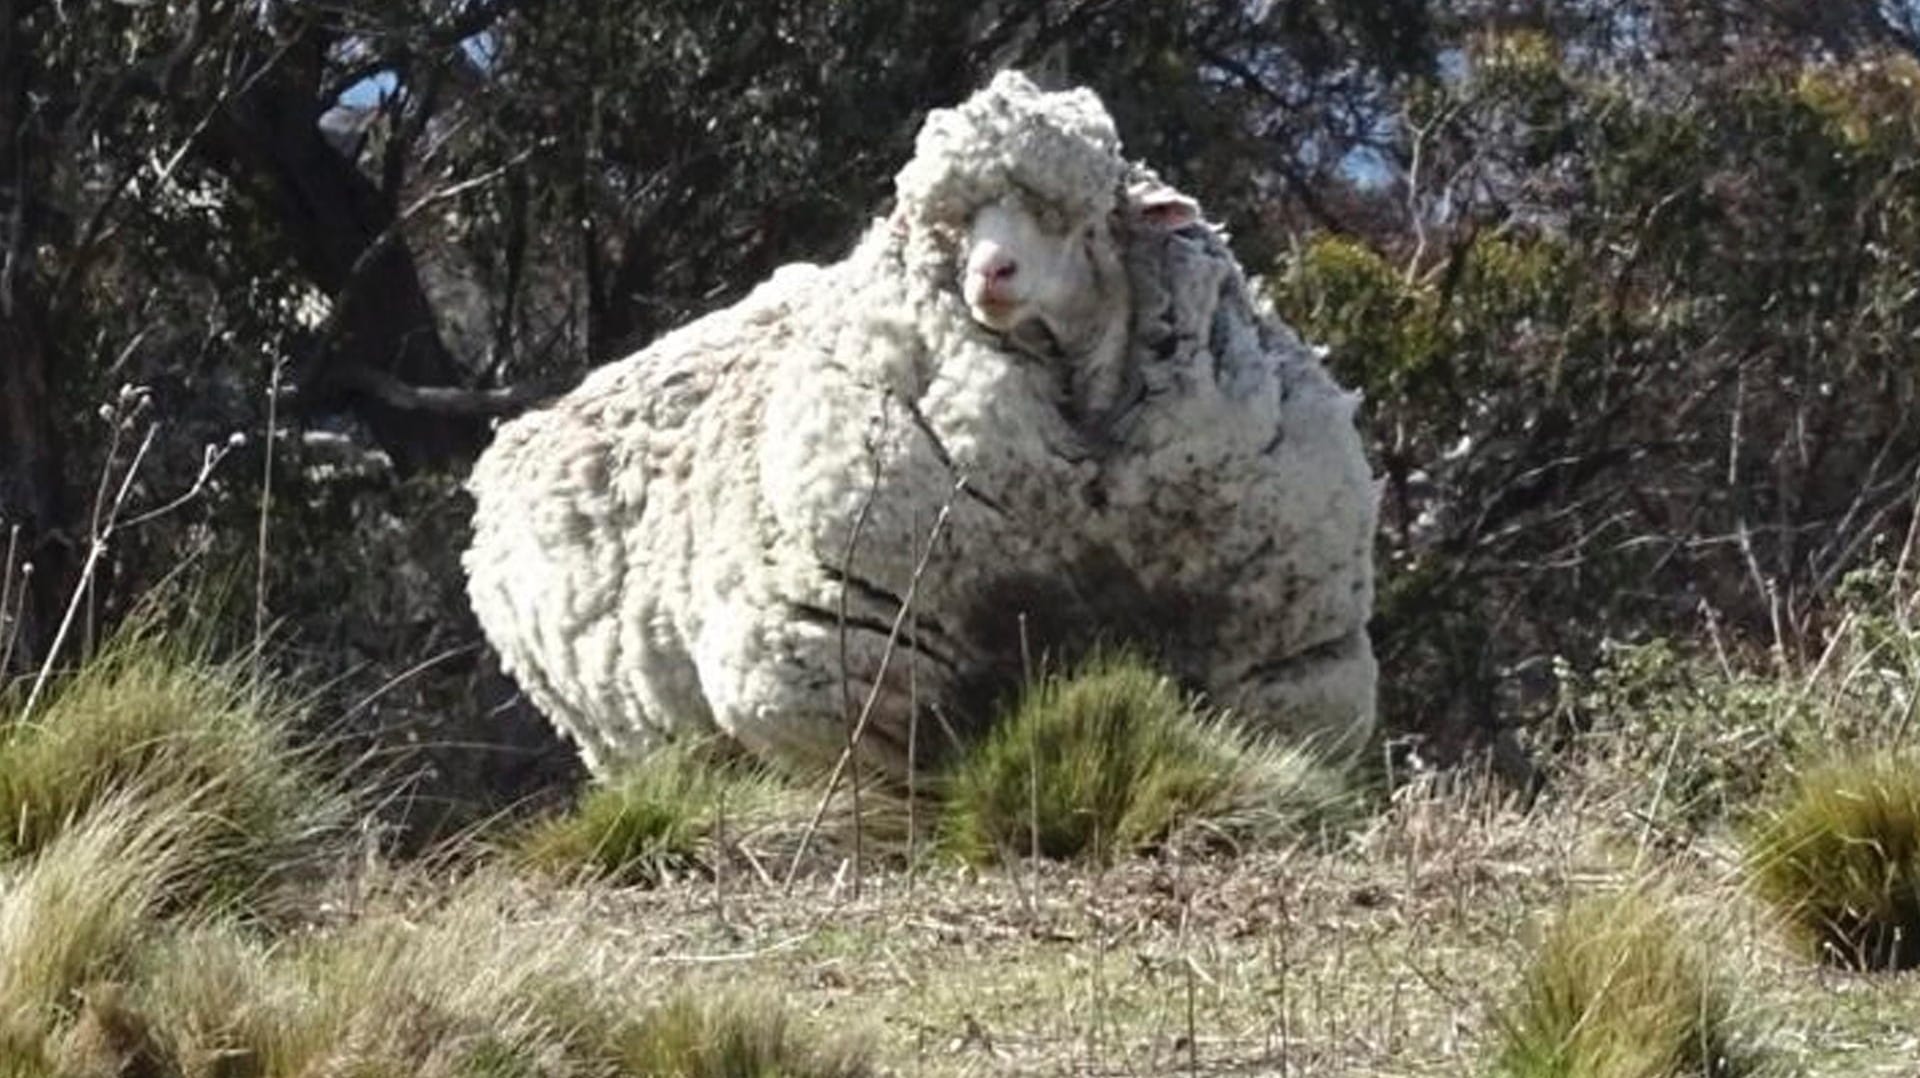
[{"x": 656, "y": 818}]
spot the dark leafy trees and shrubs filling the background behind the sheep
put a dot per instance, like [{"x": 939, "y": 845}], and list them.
[{"x": 1625, "y": 285}]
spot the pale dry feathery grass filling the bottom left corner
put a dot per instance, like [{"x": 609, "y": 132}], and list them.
[{"x": 101, "y": 975}]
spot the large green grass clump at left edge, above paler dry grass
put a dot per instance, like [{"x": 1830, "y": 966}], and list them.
[{"x": 164, "y": 723}]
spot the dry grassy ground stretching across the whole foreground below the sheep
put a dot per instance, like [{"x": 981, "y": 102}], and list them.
[{"x": 1385, "y": 954}]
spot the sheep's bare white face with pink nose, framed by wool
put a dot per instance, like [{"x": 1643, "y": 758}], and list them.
[{"x": 1042, "y": 280}]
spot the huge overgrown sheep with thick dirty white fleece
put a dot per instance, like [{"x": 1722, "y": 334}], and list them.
[{"x": 1042, "y": 360}]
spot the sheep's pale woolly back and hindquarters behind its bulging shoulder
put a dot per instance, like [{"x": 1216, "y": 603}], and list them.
[{"x": 606, "y": 522}]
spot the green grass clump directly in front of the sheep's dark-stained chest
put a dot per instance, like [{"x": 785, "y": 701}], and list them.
[{"x": 1113, "y": 758}]
